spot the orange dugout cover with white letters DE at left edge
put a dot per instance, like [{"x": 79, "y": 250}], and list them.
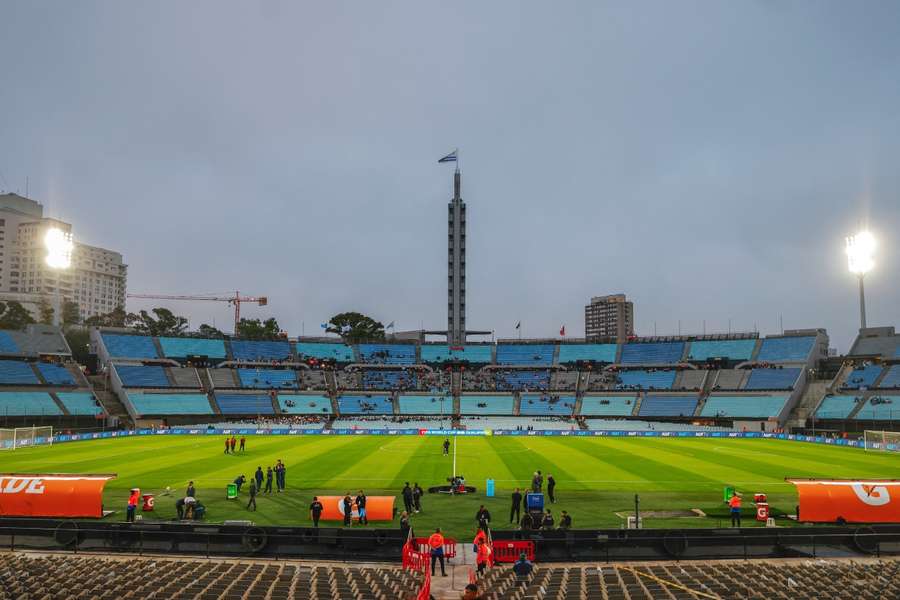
[{"x": 35, "y": 495}]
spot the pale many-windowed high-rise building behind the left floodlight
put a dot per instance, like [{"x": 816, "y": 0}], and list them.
[{"x": 96, "y": 280}]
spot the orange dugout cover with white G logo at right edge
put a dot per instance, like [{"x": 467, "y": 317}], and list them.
[{"x": 848, "y": 500}]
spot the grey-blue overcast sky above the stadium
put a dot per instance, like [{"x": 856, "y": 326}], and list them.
[{"x": 705, "y": 158}]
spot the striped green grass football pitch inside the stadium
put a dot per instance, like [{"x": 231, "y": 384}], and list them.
[{"x": 596, "y": 477}]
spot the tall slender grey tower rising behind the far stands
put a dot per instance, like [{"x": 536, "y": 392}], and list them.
[{"x": 456, "y": 264}]
